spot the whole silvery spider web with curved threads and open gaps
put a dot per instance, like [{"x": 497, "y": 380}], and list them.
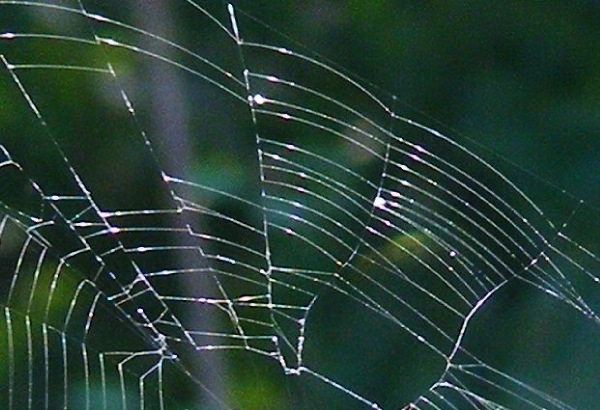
[{"x": 325, "y": 251}]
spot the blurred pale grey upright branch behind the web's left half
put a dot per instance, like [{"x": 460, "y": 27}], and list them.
[{"x": 170, "y": 115}]
